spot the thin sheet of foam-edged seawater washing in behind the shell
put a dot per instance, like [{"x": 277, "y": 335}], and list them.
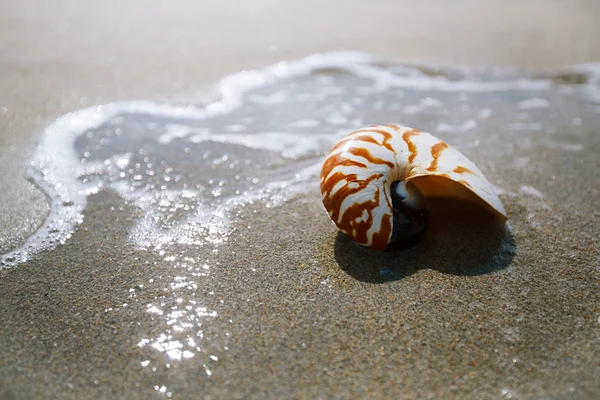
[{"x": 190, "y": 168}]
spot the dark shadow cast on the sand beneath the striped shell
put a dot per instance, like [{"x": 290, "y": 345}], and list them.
[{"x": 462, "y": 239}]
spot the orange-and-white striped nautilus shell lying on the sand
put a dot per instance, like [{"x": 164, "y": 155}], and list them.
[{"x": 375, "y": 182}]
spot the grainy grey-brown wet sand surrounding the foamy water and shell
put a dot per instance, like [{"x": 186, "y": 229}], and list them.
[{"x": 462, "y": 319}]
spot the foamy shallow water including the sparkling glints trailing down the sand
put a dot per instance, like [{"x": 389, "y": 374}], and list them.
[{"x": 188, "y": 176}]
